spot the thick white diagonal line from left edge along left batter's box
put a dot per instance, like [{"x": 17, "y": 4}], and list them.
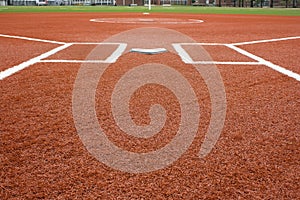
[{"x": 10, "y": 71}]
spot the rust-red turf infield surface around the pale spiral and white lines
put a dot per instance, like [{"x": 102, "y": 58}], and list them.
[{"x": 256, "y": 157}]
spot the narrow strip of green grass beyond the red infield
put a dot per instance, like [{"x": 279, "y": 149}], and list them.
[{"x": 158, "y": 9}]
